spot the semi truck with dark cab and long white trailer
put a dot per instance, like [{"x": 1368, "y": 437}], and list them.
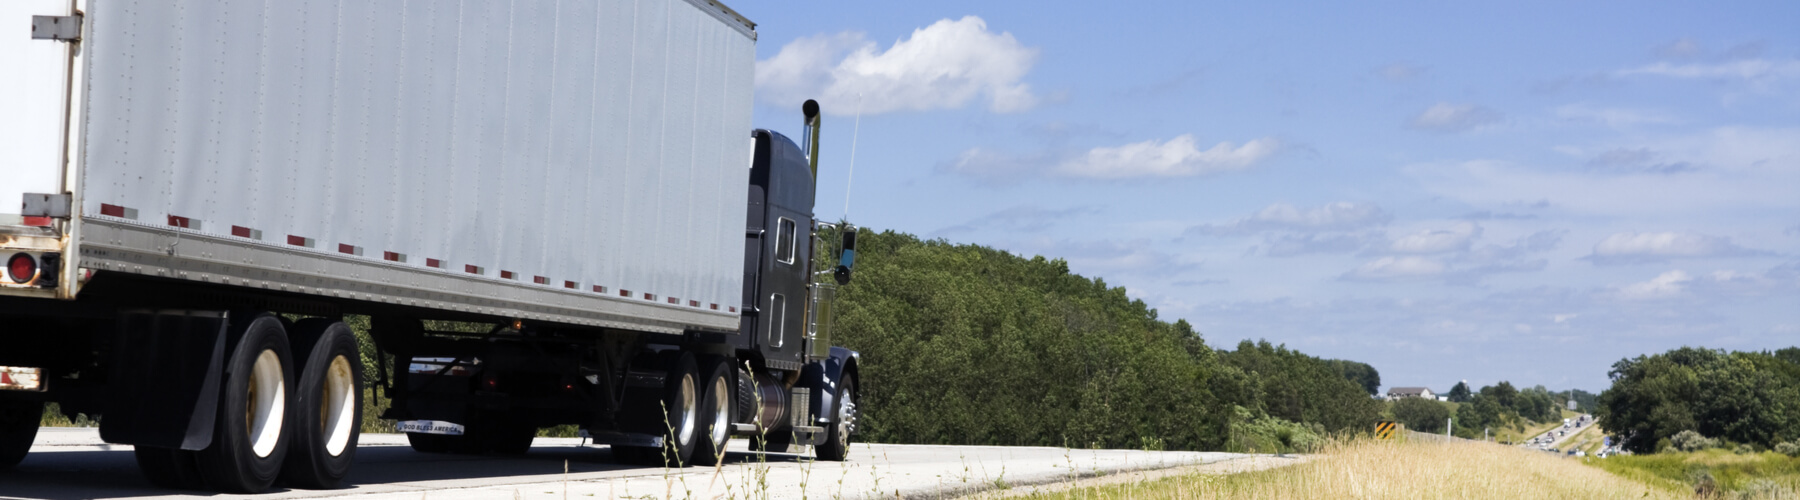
[{"x": 548, "y": 213}]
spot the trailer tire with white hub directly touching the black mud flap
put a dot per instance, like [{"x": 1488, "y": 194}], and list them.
[{"x": 251, "y": 436}]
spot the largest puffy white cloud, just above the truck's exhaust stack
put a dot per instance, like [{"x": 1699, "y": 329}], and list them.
[{"x": 940, "y": 67}]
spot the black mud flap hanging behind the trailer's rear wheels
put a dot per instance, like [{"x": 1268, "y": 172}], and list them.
[{"x": 165, "y": 382}]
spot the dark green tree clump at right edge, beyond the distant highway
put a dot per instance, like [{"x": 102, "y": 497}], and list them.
[{"x": 1743, "y": 398}]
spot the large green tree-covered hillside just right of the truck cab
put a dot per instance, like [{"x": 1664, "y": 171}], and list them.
[{"x": 966, "y": 344}]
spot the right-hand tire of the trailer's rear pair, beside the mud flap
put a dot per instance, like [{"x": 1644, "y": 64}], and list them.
[{"x": 327, "y": 411}]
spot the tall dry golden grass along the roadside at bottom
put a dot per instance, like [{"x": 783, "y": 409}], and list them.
[{"x": 1365, "y": 469}]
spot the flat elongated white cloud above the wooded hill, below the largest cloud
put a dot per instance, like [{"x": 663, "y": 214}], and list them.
[{"x": 1176, "y": 157}]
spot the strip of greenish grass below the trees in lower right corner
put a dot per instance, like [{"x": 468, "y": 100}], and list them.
[{"x": 1722, "y": 472}]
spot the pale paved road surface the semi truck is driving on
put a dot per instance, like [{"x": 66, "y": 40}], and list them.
[{"x": 69, "y": 463}]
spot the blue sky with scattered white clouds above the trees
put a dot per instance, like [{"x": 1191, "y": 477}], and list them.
[{"x": 1471, "y": 192}]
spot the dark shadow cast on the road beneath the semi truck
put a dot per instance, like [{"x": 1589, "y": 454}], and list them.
[{"x": 112, "y": 474}]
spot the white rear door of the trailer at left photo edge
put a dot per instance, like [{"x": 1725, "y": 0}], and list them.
[{"x": 33, "y": 102}]
